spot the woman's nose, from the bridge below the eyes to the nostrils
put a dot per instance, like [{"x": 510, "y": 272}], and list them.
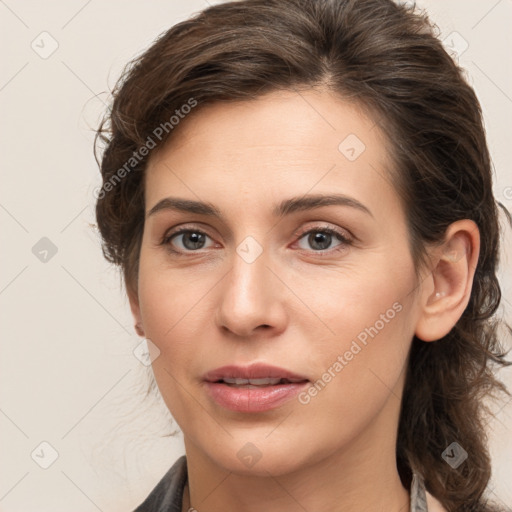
[{"x": 251, "y": 299}]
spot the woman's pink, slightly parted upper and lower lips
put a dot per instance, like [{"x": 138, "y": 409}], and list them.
[{"x": 252, "y": 389}]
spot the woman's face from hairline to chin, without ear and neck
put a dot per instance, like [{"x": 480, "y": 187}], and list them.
[{"x": 263, "y": 283}]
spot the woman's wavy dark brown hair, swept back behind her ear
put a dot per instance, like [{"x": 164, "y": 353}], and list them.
[{"x": 387, "y": 58}]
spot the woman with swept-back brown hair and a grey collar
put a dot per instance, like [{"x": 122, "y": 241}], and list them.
[{"x": 299, "y": 195}]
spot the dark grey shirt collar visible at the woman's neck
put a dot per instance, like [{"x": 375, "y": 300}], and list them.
[{"x": 167, "y": 496}]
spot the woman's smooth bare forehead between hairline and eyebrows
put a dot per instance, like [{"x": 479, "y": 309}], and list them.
[{"x": 284, "y": 142}]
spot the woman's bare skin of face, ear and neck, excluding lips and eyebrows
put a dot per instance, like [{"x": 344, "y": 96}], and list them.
[{"x": 295, "y": 306}]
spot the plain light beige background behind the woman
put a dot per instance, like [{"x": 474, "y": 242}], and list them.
[{"x": 68, "y": 375}]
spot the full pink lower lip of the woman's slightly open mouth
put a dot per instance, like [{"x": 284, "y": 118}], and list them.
[{"x": 253, "y": 399}]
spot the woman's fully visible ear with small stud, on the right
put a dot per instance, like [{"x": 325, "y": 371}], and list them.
[{"x": 446, "y": 290}]
